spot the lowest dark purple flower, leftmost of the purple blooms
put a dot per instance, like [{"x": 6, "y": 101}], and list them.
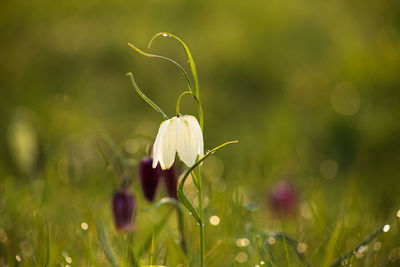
[{"x": 124, "y": 210}]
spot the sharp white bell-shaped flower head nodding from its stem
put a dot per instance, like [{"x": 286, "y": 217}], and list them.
[{"x": 180, "y": 134}]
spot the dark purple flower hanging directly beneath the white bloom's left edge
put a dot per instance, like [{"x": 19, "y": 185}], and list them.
[{"x": 149, "y": 178}]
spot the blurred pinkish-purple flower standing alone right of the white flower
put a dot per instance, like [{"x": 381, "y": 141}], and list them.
[{"x": 283, "y": 198}]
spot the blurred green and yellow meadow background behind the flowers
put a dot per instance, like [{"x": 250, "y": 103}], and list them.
[{"x": 310, "y": 88}]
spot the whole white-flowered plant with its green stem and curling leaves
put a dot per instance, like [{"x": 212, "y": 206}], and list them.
[{"x": 182, "y": 135}]
